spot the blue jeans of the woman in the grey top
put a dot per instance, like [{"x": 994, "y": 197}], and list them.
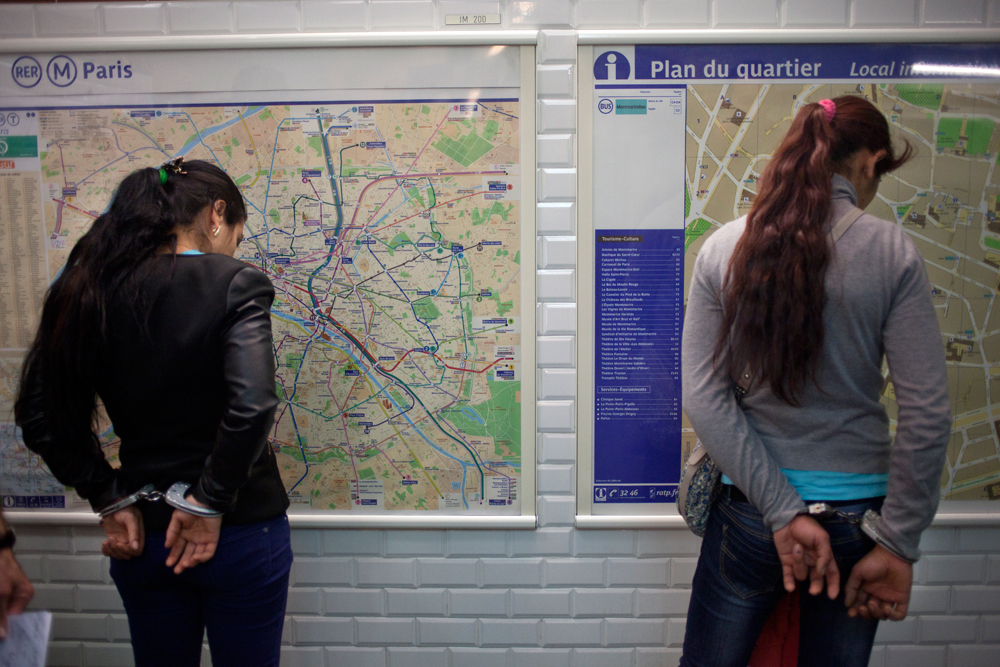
[{"x": 738, "y": 583}]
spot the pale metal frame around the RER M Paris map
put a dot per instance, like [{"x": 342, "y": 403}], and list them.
[{"x": 526, "y": 40}]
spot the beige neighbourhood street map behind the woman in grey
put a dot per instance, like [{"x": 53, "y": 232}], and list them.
[{"x": 946, "y": 199}]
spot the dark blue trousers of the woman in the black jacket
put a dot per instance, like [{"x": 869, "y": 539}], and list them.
[{"x": 238, "y": 596}]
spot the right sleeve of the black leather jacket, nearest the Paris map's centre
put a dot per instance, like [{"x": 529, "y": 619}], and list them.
[{"x": 248, "y": 367}]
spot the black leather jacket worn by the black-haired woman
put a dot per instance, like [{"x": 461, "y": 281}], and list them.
[{"x": 191, "y": 394}]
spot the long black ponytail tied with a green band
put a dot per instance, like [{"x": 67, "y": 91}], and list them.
[{"x": 106, "y": 265}]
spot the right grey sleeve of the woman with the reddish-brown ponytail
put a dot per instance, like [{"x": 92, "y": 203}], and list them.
[{"x": 913, "y": 350}]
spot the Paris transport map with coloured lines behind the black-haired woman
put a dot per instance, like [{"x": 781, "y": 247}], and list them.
[{"x": 391, "y": 233}]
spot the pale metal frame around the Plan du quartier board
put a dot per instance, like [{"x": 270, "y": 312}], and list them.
[{"x": 950, "y": 513}]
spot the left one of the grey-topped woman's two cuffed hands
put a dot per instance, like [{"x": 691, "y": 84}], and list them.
[{"x": 805, "y": 553}]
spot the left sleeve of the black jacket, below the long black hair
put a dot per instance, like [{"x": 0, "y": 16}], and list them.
[{"x": 79, "y": 463}]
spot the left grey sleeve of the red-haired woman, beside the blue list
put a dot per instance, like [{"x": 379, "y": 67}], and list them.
[{"x": 711, "y": 406}]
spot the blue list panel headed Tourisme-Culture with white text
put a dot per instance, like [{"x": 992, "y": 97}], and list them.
[{"x": 639, "y": 303}]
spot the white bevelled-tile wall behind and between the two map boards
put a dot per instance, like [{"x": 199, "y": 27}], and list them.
[{"x": 555, "y": 596}]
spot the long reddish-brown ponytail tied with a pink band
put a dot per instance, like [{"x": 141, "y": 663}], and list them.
[{"x": 775, "y": 293}]
